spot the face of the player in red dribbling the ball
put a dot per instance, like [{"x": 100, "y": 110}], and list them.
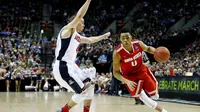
[{"x": 125, "y": 38}]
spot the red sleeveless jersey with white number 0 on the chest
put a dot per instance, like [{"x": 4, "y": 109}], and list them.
[{"x": 130, "y": 61}]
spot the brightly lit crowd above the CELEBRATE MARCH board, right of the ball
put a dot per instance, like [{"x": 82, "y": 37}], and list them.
[{"x": 184, "y": 63}]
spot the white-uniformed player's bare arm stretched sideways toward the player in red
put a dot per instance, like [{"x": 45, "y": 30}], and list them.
[{"x": 94, "y": 39}]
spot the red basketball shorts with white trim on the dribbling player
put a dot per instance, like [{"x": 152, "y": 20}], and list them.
[{"x": 145, "y": 80}]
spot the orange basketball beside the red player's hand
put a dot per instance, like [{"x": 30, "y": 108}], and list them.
[{"x": 162, "y": 54}]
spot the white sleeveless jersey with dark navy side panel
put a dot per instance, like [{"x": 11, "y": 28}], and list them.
[{"x": 66, "y": 49}]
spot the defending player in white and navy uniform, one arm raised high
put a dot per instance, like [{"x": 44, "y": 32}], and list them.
[{"x": 66, "y": 72}]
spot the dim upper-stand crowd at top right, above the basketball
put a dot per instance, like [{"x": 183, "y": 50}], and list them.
[{"x": 154, "y": 18}]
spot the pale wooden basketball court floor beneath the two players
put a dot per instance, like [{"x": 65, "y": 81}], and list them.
[{"x": 50, "y": 101}]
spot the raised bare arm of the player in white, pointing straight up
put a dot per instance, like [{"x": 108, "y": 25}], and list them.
[{"x": 73, "y": 24}]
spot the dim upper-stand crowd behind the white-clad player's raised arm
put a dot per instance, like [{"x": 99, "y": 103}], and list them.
[{"x": 99, "y": 16}]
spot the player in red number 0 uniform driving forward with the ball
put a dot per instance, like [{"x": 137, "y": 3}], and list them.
[{"x": 128, "y": 67}]
